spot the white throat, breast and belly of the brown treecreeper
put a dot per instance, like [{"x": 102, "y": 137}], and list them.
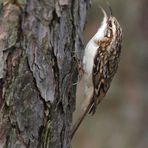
[{"x": 88, "y": 59}]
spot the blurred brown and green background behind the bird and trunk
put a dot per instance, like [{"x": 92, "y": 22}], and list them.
[{"x": 121, "y": 120}]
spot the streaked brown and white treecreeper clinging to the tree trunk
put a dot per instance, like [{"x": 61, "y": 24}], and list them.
[{"x": 100, "y": 63}]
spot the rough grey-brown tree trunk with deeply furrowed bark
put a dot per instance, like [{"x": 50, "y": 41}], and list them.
[{"x": 39, "y": 40}]
